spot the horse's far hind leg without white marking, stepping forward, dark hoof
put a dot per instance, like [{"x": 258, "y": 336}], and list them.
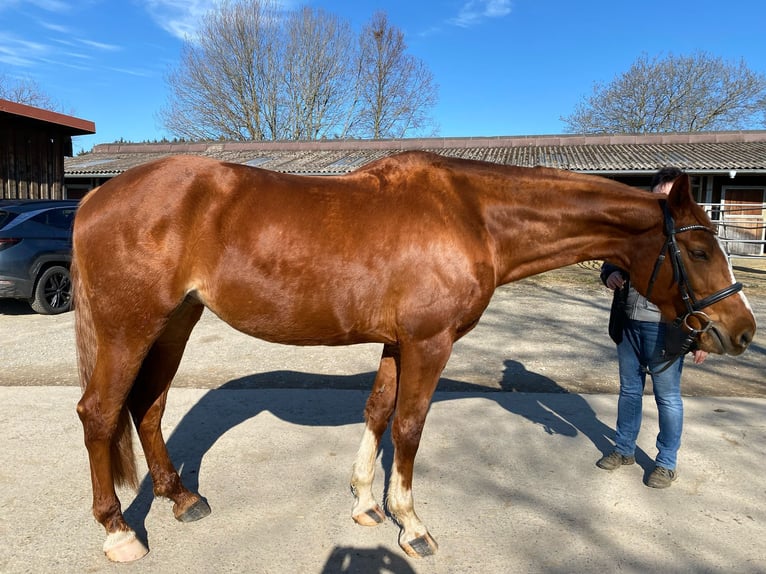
[{"x": 147, "y": 402}]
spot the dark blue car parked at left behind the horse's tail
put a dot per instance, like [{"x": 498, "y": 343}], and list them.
[{"x": 36, "y": 253}]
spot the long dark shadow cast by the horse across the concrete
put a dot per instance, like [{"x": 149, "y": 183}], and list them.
[{"x": 222, "y": 409}]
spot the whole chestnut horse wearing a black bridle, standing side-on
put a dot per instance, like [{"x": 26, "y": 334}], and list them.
[{"x": 406, "y": 252}]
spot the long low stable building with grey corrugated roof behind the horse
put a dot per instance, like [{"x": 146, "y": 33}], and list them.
[{"x": 728, "y": 169}]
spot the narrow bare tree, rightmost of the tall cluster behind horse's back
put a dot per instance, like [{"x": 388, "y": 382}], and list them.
[{"x": 395, "y": 90}]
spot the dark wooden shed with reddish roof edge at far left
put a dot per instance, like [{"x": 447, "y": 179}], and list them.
[{"x": 33, "y": 143}]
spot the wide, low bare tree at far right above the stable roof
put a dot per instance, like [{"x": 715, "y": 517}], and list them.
[{"x": 674, "y": 94}]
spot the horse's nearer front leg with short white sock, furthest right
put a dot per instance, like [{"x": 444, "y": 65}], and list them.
[{"x": 421, "y": 366}]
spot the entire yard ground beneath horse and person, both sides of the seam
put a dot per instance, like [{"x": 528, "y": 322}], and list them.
[{"x": 505, "y": 476}]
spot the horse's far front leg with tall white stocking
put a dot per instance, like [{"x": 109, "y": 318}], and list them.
[{"x": 380, "y": 407}]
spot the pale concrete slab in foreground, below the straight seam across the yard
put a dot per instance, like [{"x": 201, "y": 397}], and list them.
[{"x": 506, "y": 482}]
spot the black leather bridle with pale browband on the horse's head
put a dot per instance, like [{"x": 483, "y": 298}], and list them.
[{"x": 693, "y": 305}]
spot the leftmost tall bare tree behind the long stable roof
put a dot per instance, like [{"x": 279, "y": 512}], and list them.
[{"x": 226, "y": 86}]
